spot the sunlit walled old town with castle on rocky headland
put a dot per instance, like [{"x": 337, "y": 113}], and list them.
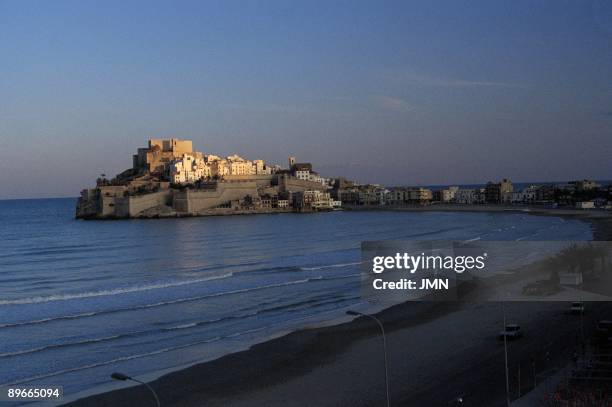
[{"x": 169, "y": 179}]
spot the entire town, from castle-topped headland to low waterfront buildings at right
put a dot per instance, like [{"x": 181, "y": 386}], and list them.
[{"x": 168, "y": 178}]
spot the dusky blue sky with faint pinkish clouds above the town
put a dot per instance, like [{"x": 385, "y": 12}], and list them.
[{"x": 397, "y": 93}]
